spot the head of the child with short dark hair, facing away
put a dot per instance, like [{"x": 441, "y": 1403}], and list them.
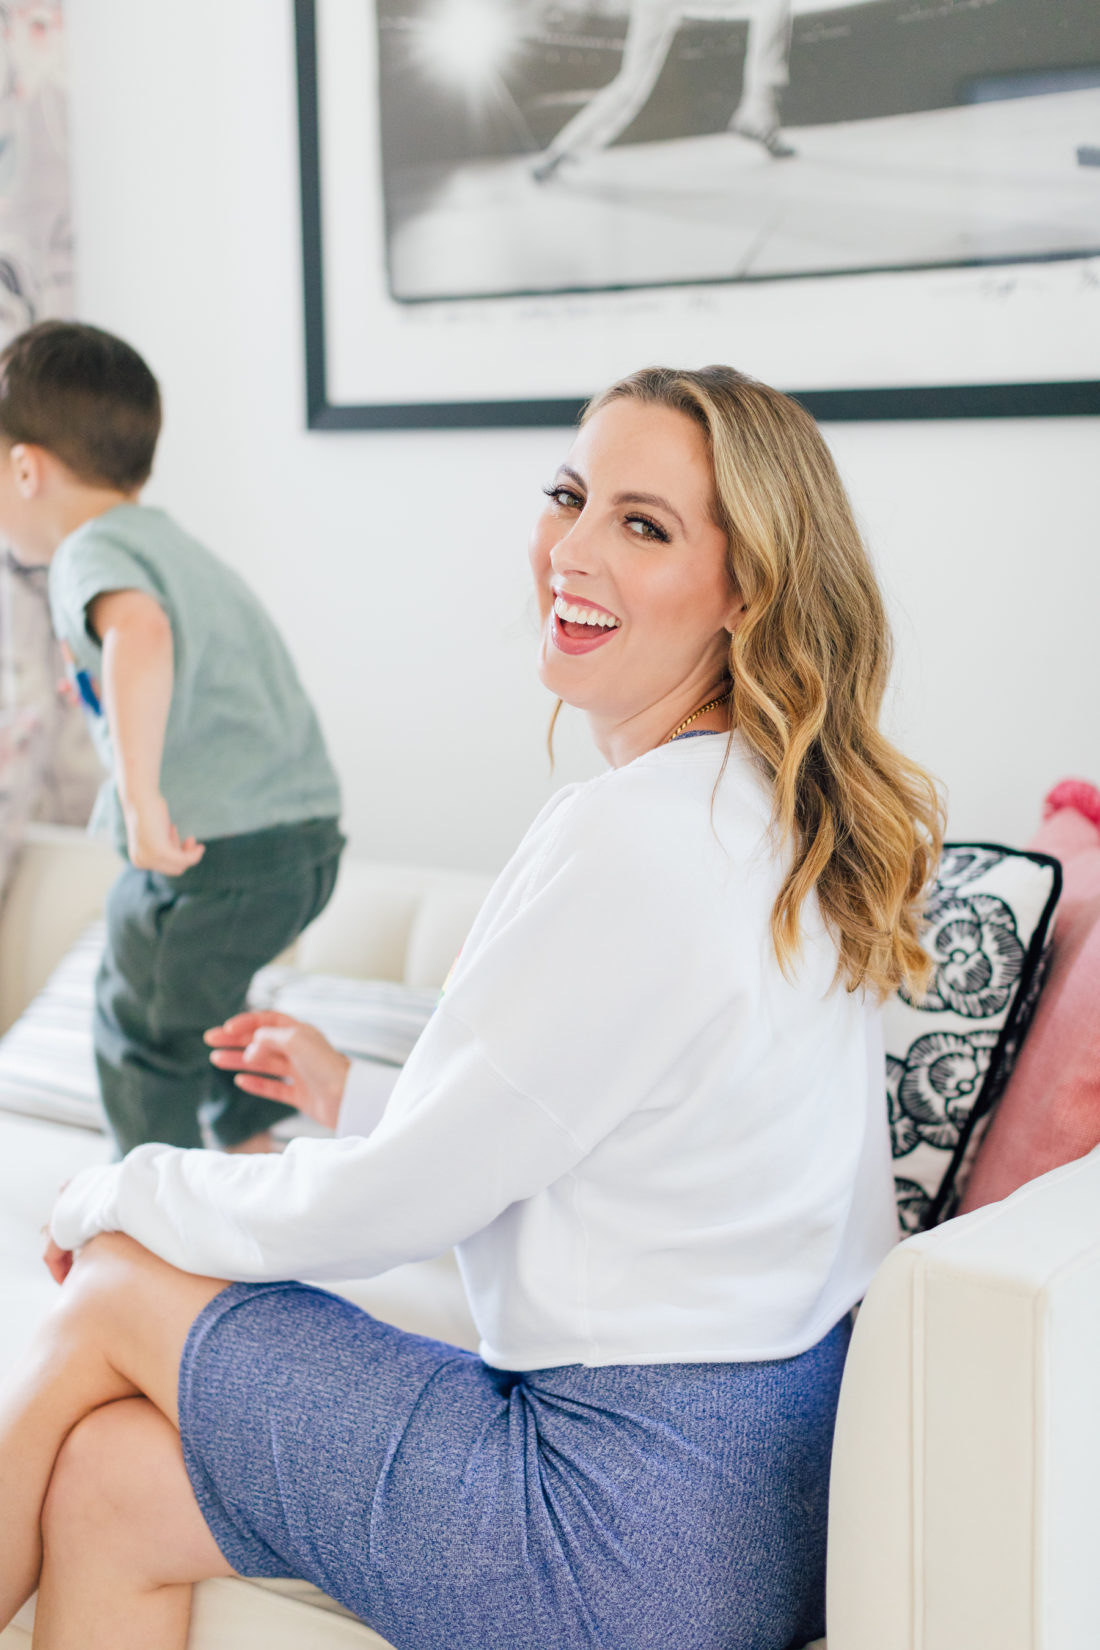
[{"x": 80, "y": 413}]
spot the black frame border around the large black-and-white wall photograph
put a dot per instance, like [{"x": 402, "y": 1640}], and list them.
[{"x": 1071, "y": 398}]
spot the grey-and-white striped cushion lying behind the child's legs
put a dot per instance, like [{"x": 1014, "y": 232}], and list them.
[{"x": 47, "y": 1067}]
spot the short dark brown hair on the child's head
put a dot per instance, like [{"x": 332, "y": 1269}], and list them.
[{"x": 83, "y": 395}]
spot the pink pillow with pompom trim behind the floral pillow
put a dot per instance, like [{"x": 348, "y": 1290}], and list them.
[{"x": 1050, "y": 1113}]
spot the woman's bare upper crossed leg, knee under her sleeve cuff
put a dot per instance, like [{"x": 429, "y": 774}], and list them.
[{"x": 118, "y": 1331}]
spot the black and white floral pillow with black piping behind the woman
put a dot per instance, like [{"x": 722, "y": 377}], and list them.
[{"x": 951, "y": 1050}]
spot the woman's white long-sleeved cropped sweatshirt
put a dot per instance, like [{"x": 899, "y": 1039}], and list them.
[{"x": 646, "y": 1143}]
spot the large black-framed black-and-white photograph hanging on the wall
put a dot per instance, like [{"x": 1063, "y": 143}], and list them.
[{"x": 890, "y": 209}]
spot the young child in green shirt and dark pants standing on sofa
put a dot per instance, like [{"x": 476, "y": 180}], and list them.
[{"x": 222, "y": 796}]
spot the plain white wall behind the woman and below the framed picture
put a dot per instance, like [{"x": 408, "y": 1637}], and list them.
[{"x": 395, "y": 563}]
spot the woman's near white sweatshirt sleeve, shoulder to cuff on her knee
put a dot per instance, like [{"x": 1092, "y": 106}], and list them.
[{"x": 570, "y": 1004}]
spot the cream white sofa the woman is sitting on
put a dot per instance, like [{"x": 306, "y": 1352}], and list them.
[{"x": 969, "y": 1440}]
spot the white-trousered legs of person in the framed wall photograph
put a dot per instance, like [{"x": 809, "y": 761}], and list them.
[{"x": 651, "y": 32}]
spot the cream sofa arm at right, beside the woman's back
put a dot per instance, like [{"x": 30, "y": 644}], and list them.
[{"x": 964, "y": 1501}]
